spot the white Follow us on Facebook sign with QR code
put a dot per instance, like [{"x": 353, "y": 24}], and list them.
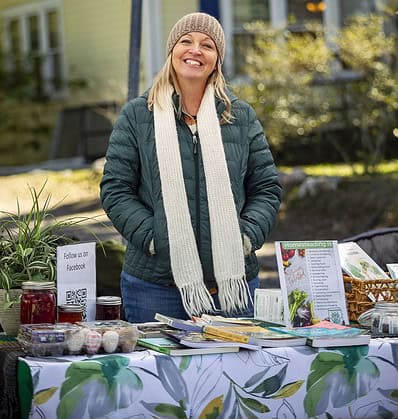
[{"x": 76, "y": 277}]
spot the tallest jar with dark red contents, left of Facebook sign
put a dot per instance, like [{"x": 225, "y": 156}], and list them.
[{"x": 38, "y": 302}]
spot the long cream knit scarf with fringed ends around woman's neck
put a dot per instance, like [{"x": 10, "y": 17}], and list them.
[{"x": 227, "y": 251}]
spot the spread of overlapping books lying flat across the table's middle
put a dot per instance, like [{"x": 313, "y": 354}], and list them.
[{"x": 216, "y": 334}]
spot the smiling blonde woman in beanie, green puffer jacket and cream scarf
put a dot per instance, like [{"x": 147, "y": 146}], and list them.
[{"x": 190, "y": 183}]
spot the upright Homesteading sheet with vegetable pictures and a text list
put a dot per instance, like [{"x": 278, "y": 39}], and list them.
[{"x": 311, "y": 281}]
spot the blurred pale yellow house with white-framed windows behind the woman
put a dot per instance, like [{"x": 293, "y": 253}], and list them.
[{"x": 78, "y": 50}]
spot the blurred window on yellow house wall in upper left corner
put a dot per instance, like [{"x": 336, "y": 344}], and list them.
[{"x": 34, "y": 44}]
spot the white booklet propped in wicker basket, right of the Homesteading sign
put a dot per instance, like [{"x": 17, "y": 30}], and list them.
[{"x": 356, "y": 263}]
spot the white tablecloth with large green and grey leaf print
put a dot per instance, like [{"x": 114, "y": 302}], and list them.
[{"x": 300, "y": 382}]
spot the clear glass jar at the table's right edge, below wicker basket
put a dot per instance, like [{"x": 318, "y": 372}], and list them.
[{"x": 384, "y": 319}]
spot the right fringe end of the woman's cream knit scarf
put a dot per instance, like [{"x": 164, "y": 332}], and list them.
[{"x": 234, "y": 294}]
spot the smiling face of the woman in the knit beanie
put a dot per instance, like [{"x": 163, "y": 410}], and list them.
[{"x": 194, "y": 57}]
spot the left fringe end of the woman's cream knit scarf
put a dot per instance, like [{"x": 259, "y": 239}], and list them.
[{"x": 196, "y": 299}]
